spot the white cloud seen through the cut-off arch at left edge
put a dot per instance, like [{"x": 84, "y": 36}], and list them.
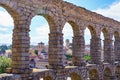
[{"x": 5, "y": 23}]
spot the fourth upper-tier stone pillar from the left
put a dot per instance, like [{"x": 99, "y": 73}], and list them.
[{"x": 95, "y": 50}]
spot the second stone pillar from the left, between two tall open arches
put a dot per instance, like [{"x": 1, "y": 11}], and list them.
[{"x": 56, "y": 50}]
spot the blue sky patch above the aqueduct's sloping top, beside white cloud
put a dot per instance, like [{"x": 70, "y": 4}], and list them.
[{"x": 92, "y": 4}]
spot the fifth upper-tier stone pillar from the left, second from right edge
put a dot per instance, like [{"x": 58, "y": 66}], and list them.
[{"x": 108, "y": 51}]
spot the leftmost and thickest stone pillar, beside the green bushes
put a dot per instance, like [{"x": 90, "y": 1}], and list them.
[{"x": 20, "y": 51}]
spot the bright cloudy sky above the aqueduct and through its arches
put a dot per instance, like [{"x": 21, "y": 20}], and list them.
[{"x": 40, "y": 28}]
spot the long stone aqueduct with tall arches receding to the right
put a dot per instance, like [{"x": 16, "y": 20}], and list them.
[{"x": 57, "y": 13}]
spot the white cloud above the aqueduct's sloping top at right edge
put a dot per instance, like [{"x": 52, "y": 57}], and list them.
[{"x": 113, "y": 11}]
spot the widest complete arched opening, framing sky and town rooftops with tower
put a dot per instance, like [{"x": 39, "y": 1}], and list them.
[{"x": 39, "y": 42}]
